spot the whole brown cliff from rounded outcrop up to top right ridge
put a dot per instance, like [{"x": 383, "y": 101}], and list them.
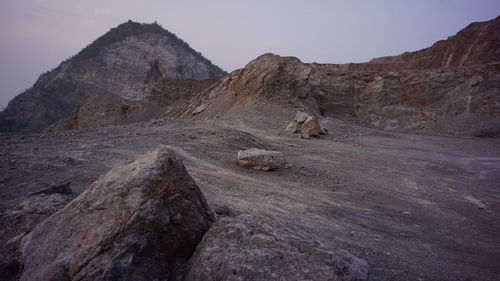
[{"x": 451, "y": 88}]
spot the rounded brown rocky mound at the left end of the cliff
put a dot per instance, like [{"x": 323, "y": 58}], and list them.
[{"x": 269, "y": 79}]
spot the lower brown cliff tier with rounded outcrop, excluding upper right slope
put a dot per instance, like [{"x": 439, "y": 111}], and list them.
[{"x": 459, "y": 101}]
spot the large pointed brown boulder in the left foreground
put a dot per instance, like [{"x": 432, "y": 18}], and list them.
[{"x": 140, "y": 221}]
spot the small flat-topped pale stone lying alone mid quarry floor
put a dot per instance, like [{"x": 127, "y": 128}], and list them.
[{"x": 260, "y": 159}]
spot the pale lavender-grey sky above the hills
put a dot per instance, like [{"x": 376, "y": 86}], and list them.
[{"x": 37, "y": 35}]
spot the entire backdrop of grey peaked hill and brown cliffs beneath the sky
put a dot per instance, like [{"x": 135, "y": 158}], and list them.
[{"x": 139, "y": 71}]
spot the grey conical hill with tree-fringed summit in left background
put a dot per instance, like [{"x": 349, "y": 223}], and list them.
[{"x": 127, "y": 62}]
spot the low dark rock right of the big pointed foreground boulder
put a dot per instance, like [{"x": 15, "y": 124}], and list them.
[{"x": 243, "y": 249}]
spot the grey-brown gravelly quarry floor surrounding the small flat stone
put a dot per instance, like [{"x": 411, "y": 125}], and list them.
[{"x": 415, "y": 207}]
